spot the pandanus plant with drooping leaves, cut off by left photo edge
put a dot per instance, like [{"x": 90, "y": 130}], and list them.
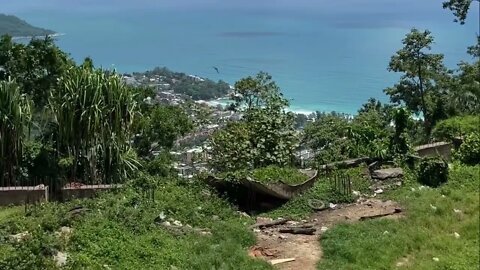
[{"x": 15, "y": 118}]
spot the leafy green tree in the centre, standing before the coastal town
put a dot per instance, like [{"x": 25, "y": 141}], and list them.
[{"x": 265, "y": 135}]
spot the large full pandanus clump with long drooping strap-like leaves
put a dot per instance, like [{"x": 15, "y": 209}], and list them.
[{"x": 94, "y": 111}]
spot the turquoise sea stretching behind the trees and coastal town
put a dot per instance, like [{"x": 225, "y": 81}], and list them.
[{"x": 324, "y": 56}]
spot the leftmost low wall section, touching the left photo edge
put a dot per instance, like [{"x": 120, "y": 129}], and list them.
[{"x": 22, "y": 195}]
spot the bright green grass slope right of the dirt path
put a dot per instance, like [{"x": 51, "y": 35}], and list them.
[{"x": 424, "y": 234}]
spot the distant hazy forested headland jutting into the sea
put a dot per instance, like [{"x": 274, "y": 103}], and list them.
[{"x": 16, "y": 27}]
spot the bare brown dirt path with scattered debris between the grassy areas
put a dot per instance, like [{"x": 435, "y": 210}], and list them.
[{"x": 271, "y": 244}]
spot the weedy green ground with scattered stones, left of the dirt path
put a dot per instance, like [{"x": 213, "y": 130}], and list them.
[{"x": 119, "y": 232}]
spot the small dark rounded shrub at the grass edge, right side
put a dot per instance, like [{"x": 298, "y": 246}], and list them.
[{"x": 433, "y": 172}]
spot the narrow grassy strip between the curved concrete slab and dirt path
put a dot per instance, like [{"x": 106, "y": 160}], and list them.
[{"x": 323, "y": 190}]
